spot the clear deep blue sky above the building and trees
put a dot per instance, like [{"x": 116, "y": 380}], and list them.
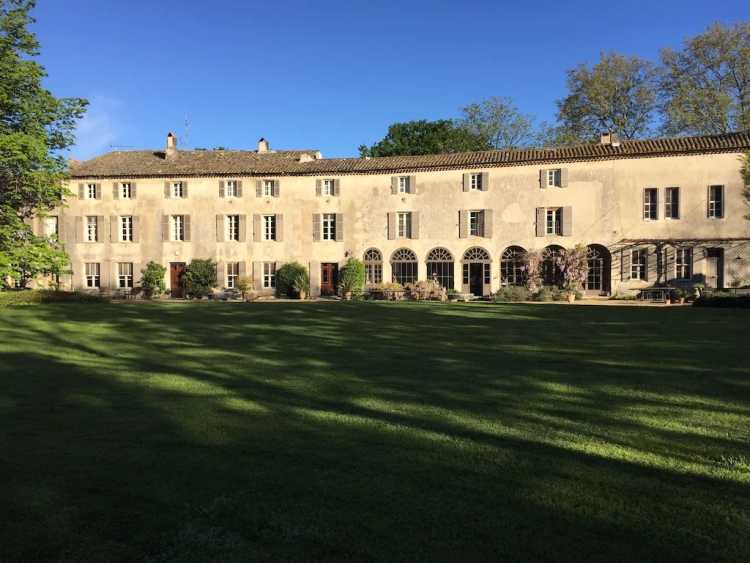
[{"x": 329, "y": 74}]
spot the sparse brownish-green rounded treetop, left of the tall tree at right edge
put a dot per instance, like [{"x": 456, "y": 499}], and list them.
[{"x": 616, "y": 95}]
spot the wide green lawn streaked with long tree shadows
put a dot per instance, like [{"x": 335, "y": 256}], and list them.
[{"x": 373, "y": 431}]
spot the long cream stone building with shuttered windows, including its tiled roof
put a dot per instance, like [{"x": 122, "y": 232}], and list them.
[{"x": 665, "y": 210}]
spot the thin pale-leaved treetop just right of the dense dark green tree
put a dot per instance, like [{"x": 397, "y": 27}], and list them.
[{"x": 498, "y": 124}]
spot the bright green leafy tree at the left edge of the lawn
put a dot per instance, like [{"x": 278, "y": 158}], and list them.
[{"x": 35, "y": 127}]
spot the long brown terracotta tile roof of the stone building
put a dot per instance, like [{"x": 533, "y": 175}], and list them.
[{"x": 143, "y": 164}]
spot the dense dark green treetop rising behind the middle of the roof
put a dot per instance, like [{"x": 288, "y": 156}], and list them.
[{"x": 423, "y": 137}]
